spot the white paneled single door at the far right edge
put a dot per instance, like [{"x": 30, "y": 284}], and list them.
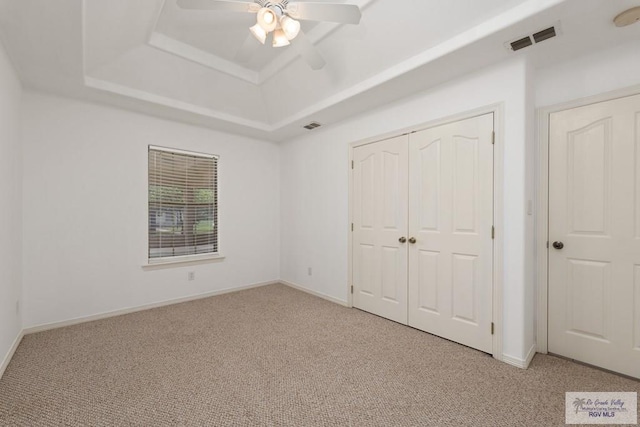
[{"x": 594, "y": 221}]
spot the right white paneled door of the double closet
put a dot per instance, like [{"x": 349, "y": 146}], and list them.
[{"x": 451, "y": 218}]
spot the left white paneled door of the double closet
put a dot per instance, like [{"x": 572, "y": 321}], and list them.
[{"x": 380, "y": 221}]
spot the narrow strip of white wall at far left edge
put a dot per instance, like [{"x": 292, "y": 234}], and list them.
[{"x": 10, "y": 207}]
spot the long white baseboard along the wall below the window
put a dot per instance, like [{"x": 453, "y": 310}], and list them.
[{"x": 99, "y": 316}]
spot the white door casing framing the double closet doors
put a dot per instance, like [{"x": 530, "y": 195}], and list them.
[{"x": 498, "y": 243}]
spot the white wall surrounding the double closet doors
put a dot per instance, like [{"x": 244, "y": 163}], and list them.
[{"x": 314, "y": 192}]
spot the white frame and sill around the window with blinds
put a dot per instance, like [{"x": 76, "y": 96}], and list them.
[{"x": 191, "y": 258}]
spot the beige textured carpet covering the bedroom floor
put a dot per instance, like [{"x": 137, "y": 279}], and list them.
[{"x": 274, "y": 356}]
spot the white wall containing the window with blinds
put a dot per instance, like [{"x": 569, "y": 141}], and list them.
[{"x": 85, "y": 210}]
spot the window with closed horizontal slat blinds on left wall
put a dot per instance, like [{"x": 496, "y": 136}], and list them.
[{"x": 183, "y": 204}]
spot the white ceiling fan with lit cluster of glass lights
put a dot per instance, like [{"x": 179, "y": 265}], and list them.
[{"x": 280, "y": 17}]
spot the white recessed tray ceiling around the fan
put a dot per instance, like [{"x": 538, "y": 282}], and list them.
[{"x": 154, "y": 57}]
